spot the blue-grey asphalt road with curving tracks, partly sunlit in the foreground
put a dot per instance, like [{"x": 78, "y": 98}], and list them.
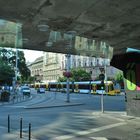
[{"x": 66, "y": 122}]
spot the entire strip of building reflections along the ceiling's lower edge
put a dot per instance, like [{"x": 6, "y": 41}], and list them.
[{"x": 59, "y": 42}]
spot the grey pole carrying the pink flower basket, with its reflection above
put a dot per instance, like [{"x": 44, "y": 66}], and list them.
[{"x": 68, "y": 55}]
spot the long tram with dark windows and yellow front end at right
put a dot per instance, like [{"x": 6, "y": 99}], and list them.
[{"x": 92, "y": 87}]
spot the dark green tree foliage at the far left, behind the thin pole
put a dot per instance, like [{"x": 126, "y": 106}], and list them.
[{"x": 8, "y": 64}]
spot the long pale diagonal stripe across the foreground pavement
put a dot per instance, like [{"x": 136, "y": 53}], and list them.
[{"x": 89, "y": 131}]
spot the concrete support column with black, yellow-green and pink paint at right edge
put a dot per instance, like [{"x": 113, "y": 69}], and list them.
[{"x": 129, "y": 63}]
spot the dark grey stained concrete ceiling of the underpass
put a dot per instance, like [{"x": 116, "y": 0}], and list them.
[{"x": 117, "y": 22}]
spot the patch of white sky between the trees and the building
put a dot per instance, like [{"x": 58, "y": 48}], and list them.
[{"x": 32, "y": 55}]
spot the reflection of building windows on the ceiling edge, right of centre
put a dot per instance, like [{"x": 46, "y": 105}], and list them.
[{"x": 80, "y": 45}]
